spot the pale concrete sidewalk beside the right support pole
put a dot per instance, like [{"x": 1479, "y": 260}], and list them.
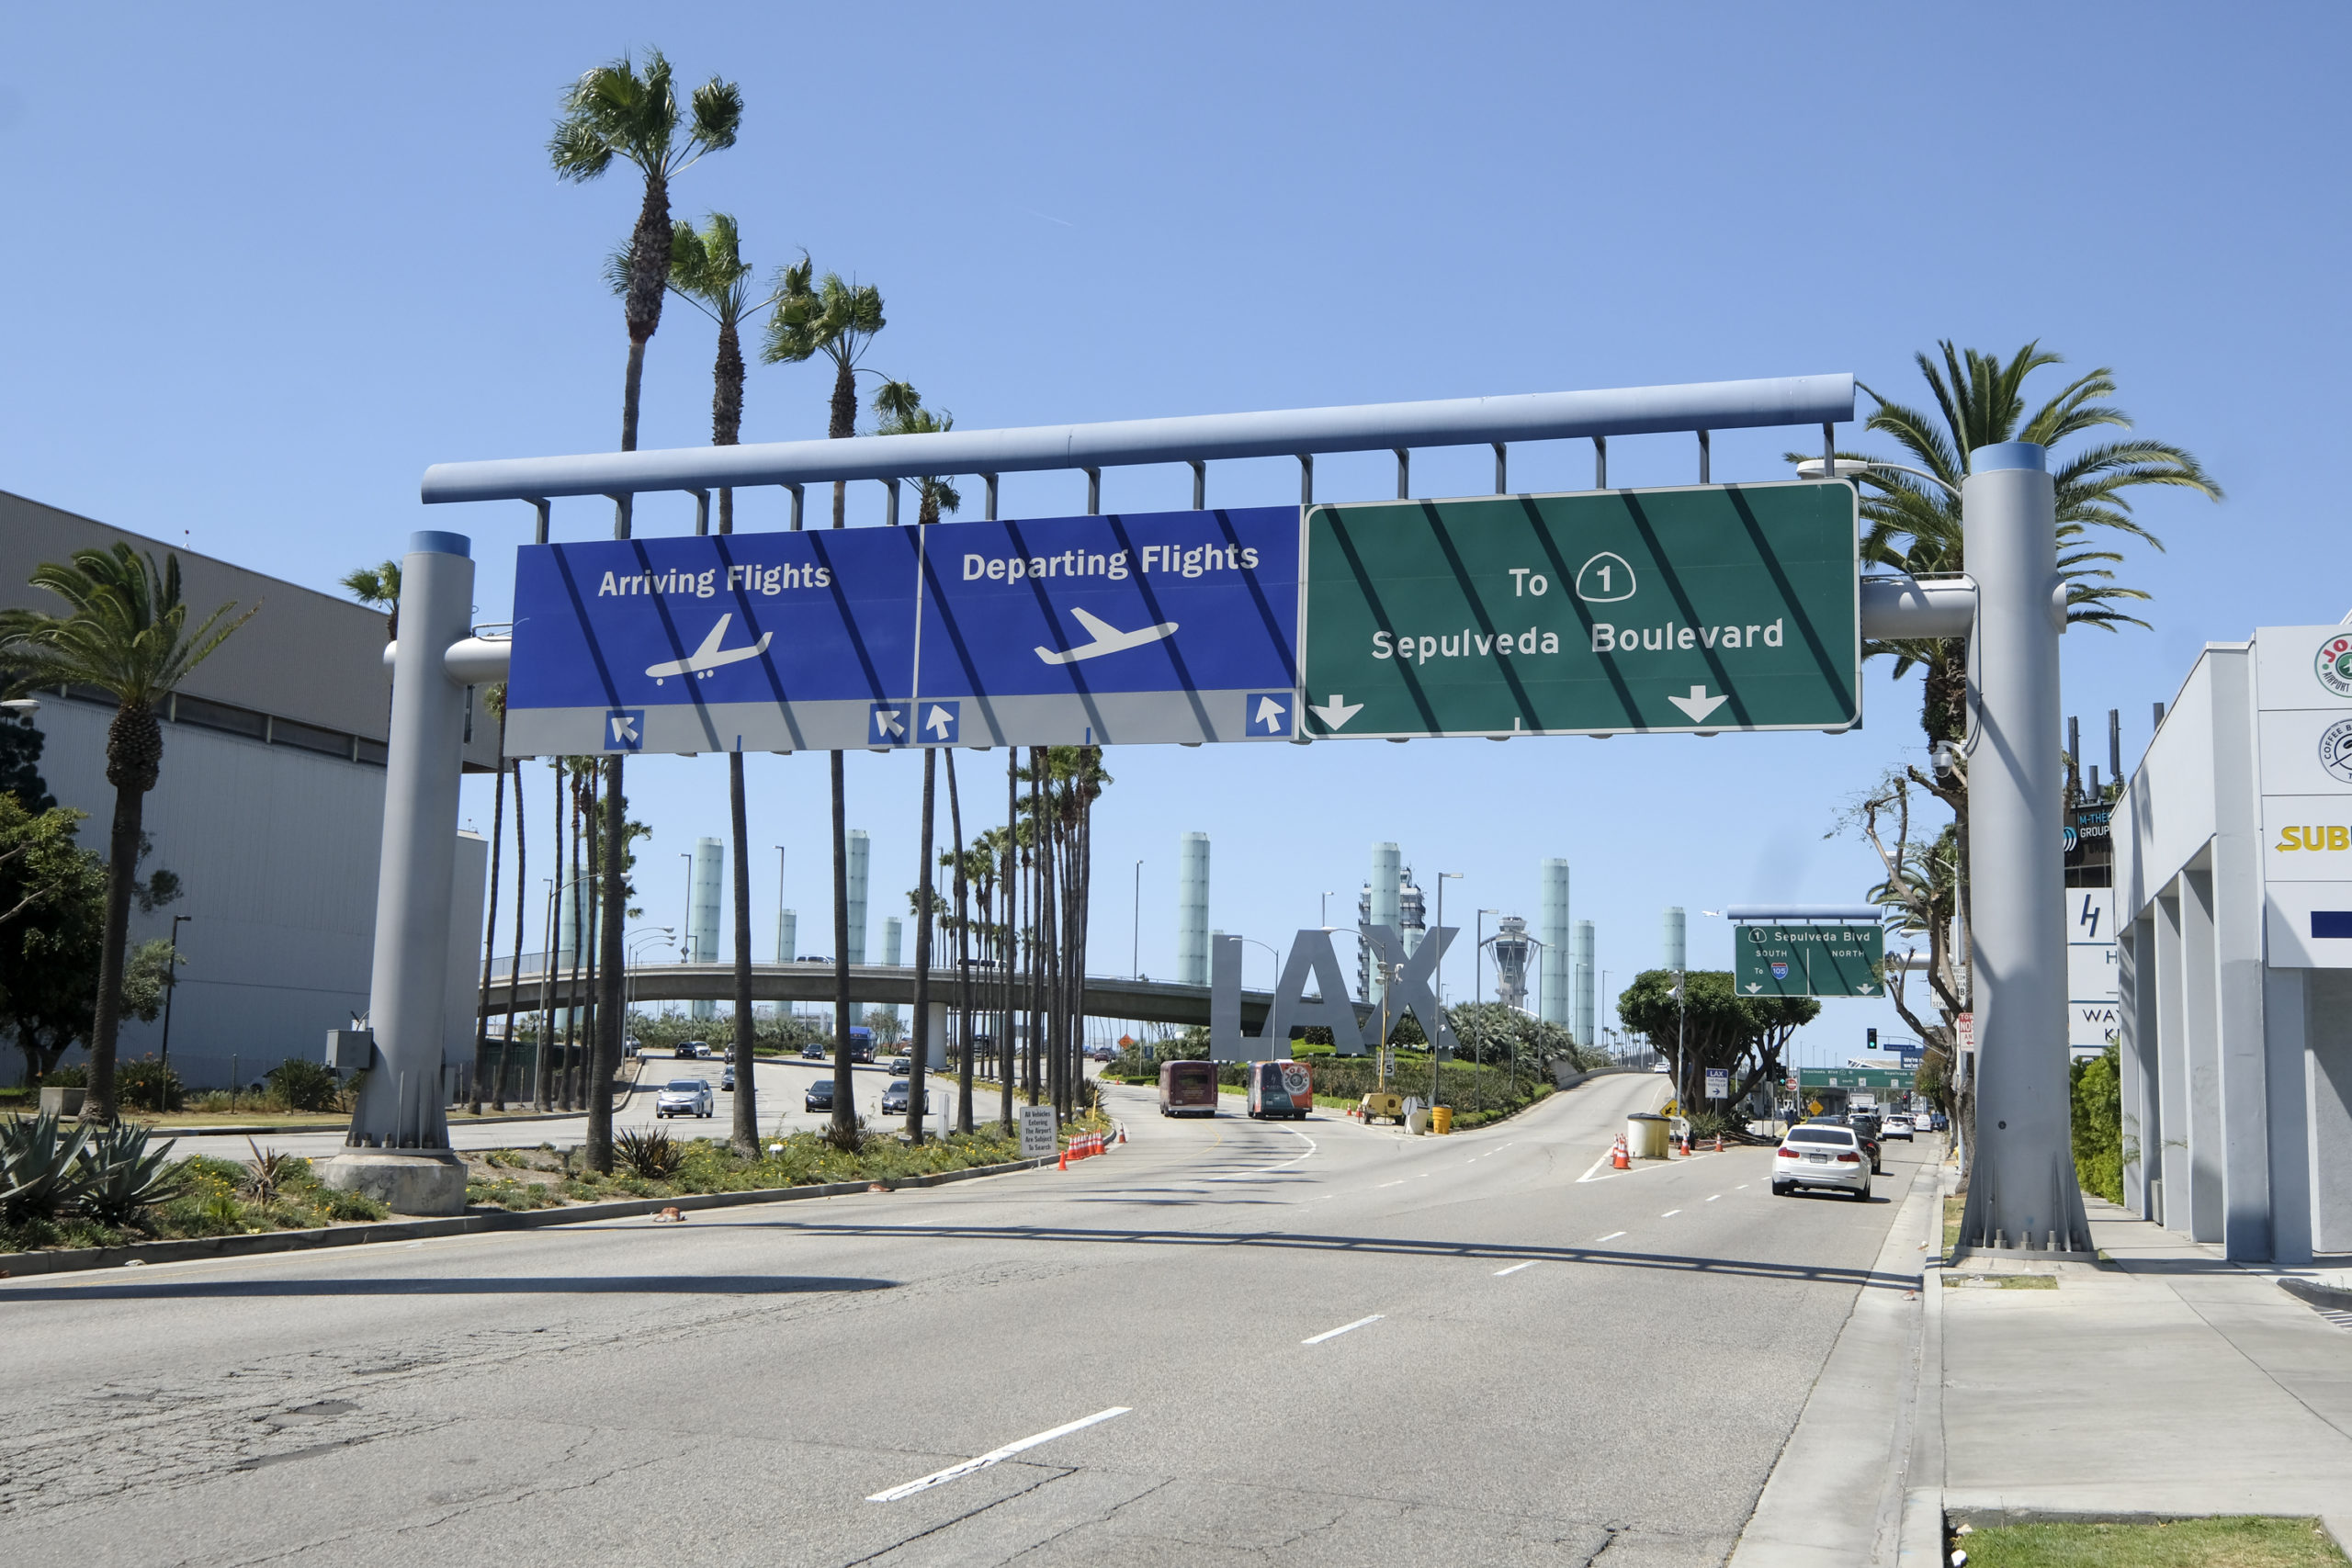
[{"x": 2165, "y": 1383}]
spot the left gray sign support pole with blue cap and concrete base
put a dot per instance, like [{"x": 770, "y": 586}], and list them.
[{"x": 401, "y": 1108}]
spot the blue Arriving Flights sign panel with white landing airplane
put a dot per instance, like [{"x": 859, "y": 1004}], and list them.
[{"x": 709, "y": 645}]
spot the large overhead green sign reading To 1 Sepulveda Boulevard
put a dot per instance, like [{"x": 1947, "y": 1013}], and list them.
[{"x": 1603, "y": 612}]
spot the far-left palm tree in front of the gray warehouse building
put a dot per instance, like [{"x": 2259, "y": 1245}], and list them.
[{"x": 128, "y": 636}]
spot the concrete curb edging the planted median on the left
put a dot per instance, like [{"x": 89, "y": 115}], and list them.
[{"x": 69, "y": 1261}]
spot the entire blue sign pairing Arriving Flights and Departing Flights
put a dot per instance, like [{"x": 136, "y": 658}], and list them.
[{"x": 1069, "y": 631}]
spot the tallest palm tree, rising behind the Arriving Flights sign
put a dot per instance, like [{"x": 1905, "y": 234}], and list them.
[{"x": 617, "y": 112}]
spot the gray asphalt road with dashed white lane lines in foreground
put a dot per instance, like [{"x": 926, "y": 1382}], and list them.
[{"x": 1316, "y": 1341}]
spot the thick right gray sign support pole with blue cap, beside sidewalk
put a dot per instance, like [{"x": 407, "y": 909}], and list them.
[{"x": 2024, "y": 1191}]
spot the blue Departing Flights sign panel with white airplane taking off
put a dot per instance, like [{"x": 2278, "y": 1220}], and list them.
[{"x": 1102, "y": 631}]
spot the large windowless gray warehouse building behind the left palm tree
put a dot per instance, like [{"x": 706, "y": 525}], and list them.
[{"x": 269, "y": 808}]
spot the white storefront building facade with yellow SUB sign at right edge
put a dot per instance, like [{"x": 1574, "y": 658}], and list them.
[{"x": 2236, "y": 951}]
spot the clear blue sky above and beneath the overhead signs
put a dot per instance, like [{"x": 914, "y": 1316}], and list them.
[{"x": 272, "y": 262}]
